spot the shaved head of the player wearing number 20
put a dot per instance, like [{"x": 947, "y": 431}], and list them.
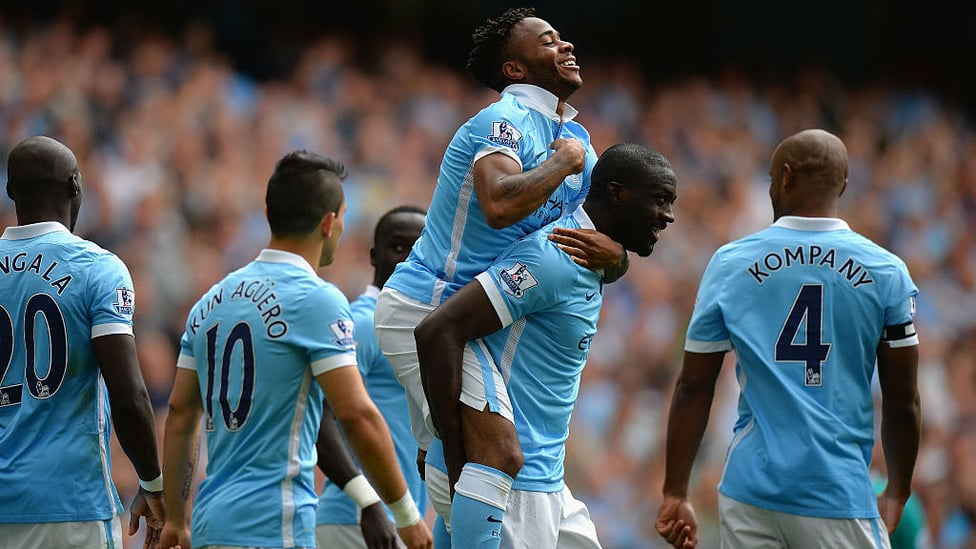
[{"x": 44, "y": 181}]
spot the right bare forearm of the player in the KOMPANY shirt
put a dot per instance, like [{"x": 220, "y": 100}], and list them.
[{"x": 900, "y": 434}]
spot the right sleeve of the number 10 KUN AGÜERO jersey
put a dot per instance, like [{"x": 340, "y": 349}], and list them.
[{"x": 326, "y": 330}]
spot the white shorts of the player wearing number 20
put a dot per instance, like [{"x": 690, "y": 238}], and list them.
[{"x": 93, "y": 534}]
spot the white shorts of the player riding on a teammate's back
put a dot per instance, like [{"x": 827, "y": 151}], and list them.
[{"x": 482, "y": 384}]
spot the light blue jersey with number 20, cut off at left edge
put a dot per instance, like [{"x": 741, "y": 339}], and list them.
[{"x": 58, "y": 293}]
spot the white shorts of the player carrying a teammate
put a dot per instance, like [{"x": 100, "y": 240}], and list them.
[{"x": 537, "y": 519}]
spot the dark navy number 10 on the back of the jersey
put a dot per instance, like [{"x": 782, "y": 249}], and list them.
[{"x": 219, "y": 372}]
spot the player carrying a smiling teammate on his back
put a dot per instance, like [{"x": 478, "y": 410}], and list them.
[{"x": 549, "y": 307}]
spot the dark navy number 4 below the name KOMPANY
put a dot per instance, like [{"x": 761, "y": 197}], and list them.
[{"x": 812, "y": 351}]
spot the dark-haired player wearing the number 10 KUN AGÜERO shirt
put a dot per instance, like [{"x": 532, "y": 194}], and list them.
[{"x": 254, "y": 346}]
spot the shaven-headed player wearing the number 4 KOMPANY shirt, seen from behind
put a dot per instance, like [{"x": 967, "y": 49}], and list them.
[{"x": 809, "y": 306}]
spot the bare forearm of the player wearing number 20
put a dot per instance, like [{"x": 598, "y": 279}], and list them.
[{"x": 135, "y": 426}]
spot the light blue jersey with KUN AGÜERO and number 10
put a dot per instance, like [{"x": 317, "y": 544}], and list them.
[{"x": 257, "y": 339}]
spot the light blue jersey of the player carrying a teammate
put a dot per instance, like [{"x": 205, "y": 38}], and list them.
[{"x": 549, "y": 307}]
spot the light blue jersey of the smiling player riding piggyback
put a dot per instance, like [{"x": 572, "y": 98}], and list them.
[{"x": 457, "y": 243}]
